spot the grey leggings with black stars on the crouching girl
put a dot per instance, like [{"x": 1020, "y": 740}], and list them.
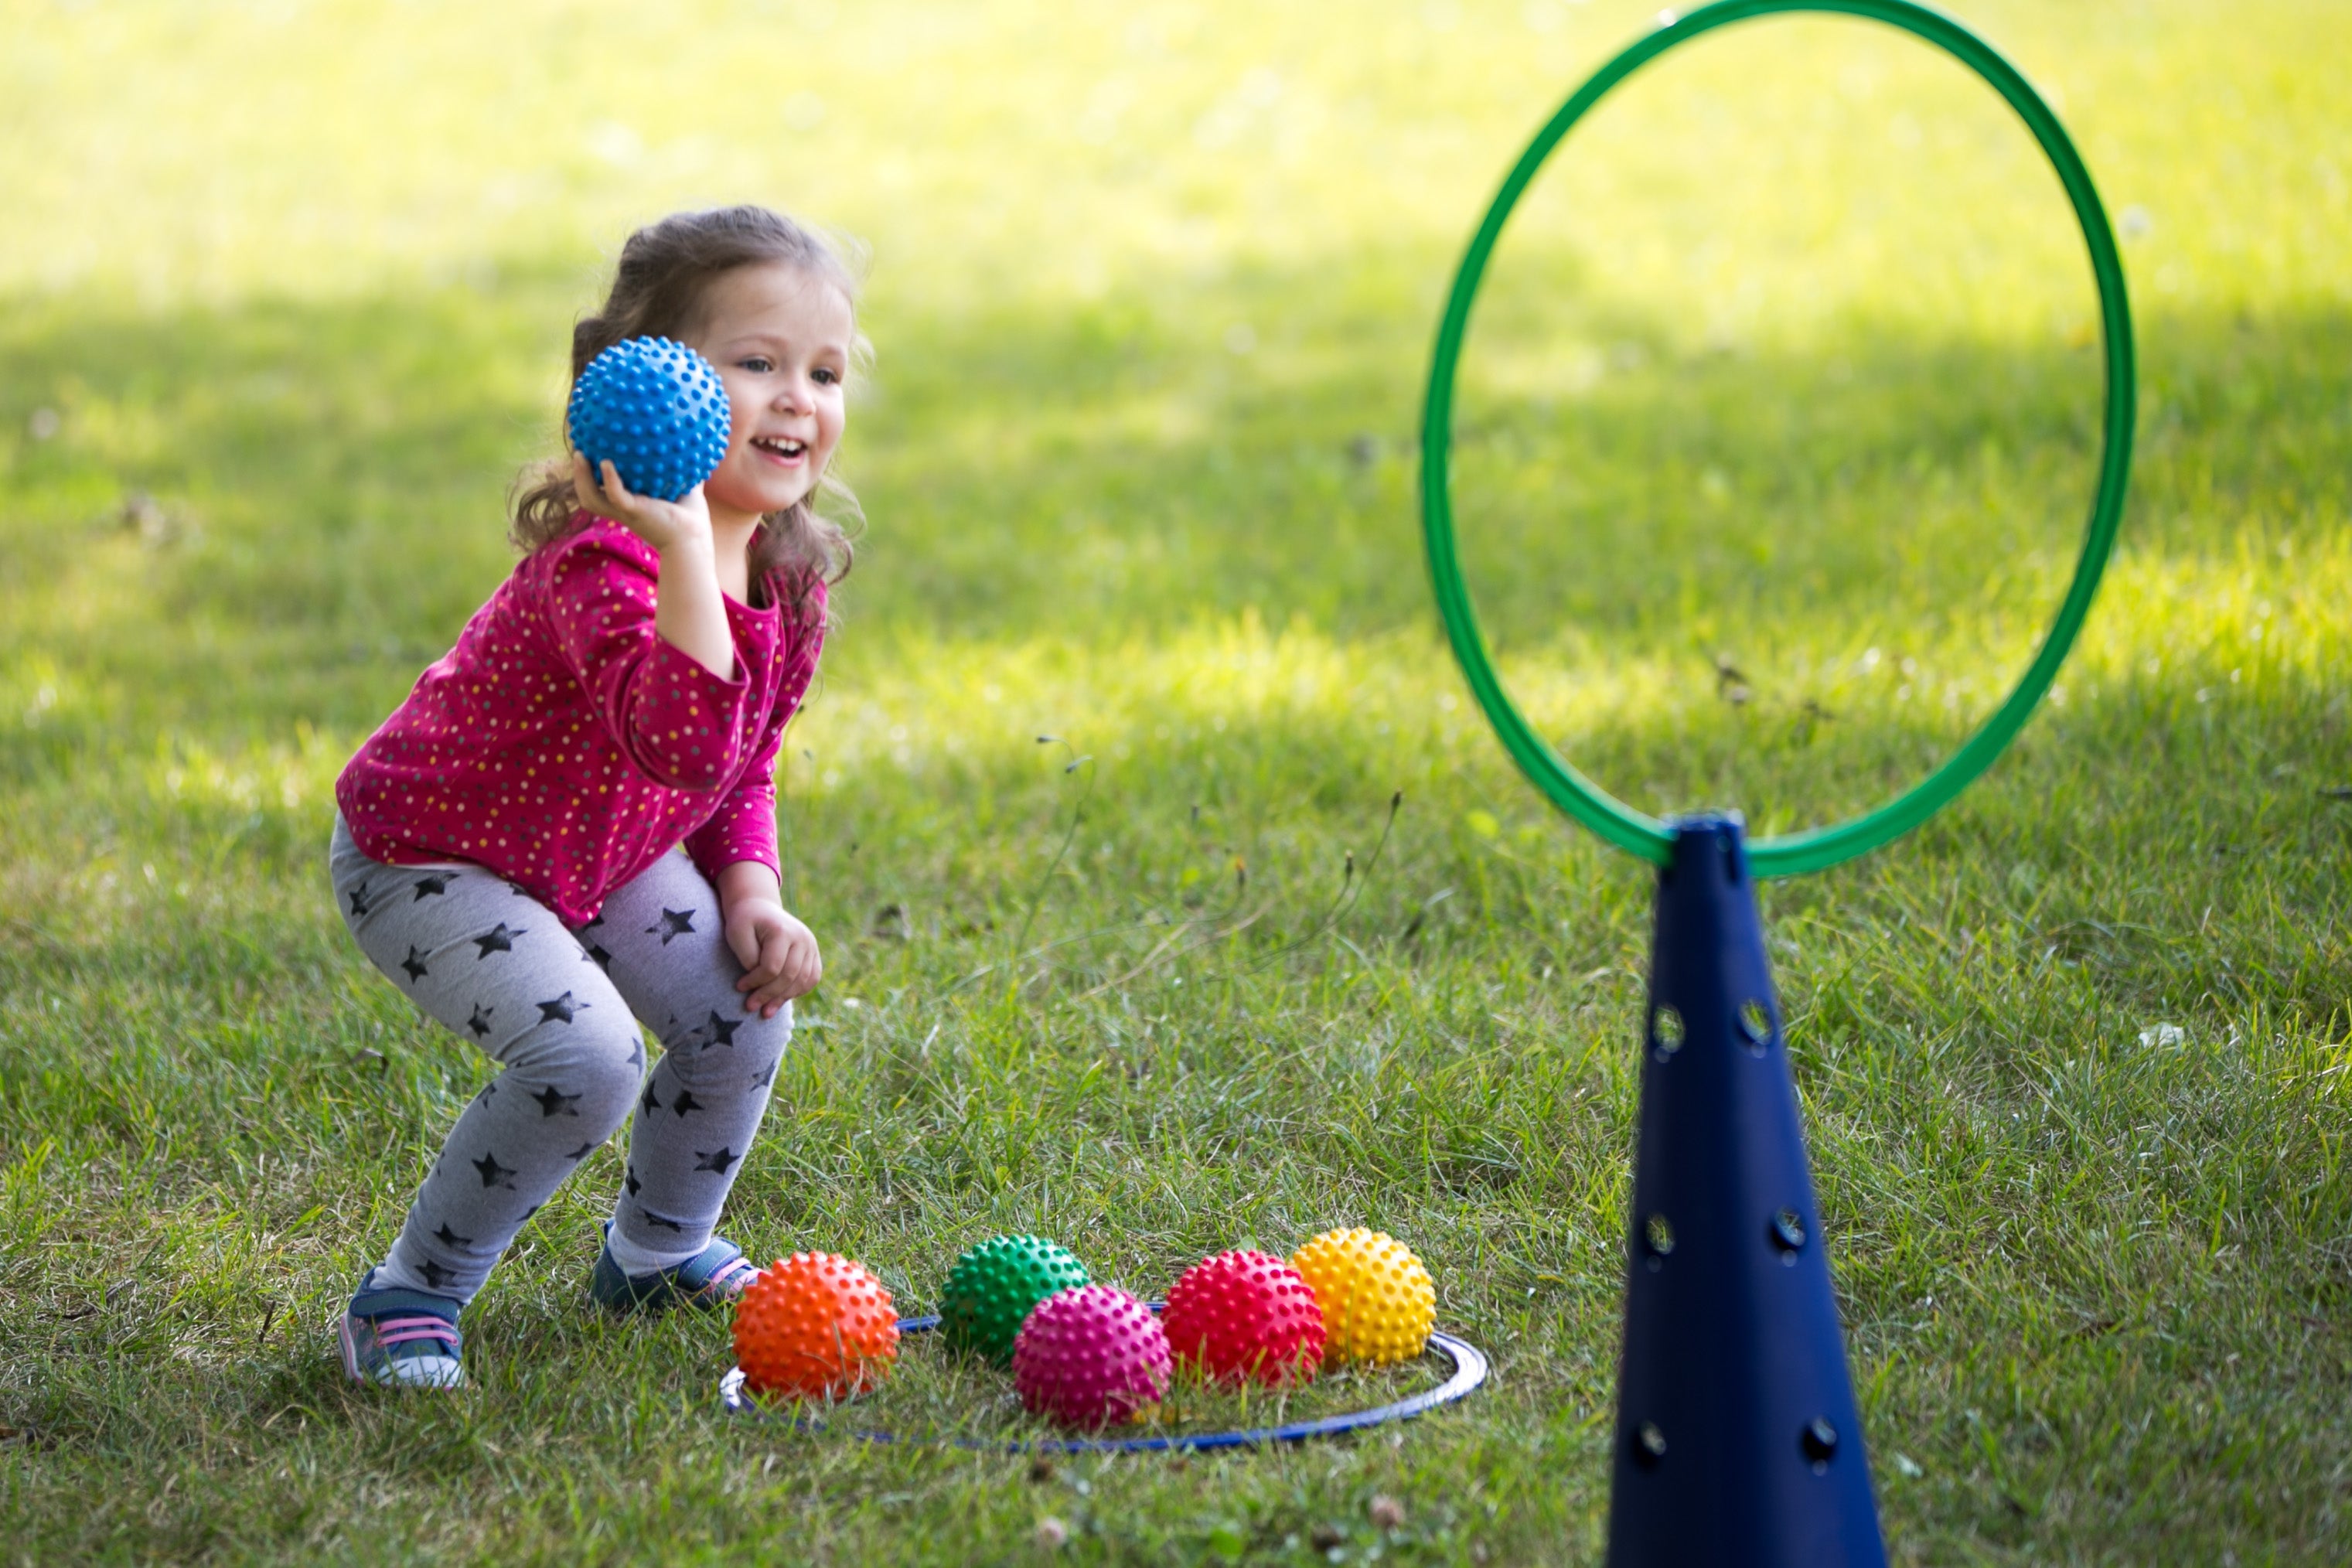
[{"x": 559, "y": 1010}]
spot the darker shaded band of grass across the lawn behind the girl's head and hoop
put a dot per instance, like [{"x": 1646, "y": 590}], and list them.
[{"x": 330, "y": 481}]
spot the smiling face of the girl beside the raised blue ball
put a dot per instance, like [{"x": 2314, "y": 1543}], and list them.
[{"x": 780, "y": 340}]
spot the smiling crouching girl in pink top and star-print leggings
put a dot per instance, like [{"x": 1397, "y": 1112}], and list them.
[{"x": 570, "y": 824}]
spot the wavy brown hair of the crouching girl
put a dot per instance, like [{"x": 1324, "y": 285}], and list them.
[{"x": 660, "y": 290}]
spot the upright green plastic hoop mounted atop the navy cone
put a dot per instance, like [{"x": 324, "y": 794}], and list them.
[{"x": 1822, "y": 847}]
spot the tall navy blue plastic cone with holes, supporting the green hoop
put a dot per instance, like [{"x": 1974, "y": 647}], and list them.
[{"x": 1737, "y": 1435}]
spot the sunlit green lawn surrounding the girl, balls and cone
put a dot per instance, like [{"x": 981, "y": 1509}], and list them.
[{"x": 1784, "y": 366}]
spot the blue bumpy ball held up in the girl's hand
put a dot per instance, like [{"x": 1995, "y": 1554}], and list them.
[{"x": 657, "y": 410}]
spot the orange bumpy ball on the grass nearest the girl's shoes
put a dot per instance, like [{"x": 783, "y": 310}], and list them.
[{"x": 815, "y": 1327}]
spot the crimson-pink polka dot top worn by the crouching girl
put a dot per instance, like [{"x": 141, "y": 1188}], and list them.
[{"x": 566, "y": 746}]
